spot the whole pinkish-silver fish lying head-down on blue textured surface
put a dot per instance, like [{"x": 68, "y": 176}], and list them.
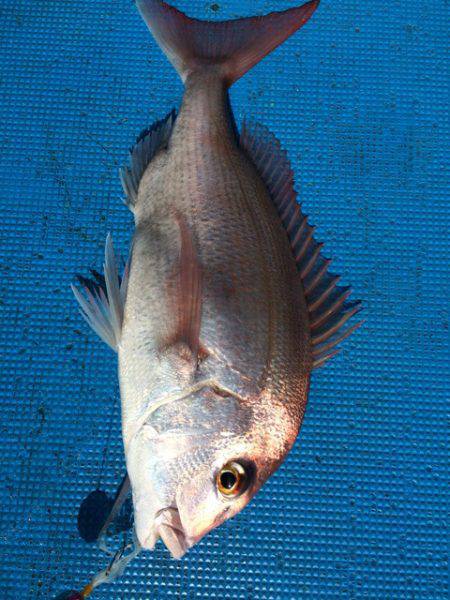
[{"x": 226, "y": 304}]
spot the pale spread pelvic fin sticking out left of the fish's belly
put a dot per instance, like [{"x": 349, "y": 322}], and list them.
[{"x": 103, "y": 298}]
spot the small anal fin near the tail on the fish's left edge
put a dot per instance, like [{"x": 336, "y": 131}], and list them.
[{"x": 148, "y": 143}]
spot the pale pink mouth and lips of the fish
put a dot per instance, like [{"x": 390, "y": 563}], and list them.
[{"x": 168, "y": 526}]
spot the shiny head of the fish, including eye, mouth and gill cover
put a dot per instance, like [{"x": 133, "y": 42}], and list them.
[{"x": 197, "y": 462}]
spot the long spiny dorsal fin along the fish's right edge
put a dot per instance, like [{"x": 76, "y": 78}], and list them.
[{"x": 328, "y": 303}]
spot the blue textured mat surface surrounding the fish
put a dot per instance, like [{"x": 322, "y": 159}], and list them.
[{"x": 359, "y": 99}]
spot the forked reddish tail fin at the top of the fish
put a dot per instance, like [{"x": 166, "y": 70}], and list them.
[{"x": 236, "y": 46}]
